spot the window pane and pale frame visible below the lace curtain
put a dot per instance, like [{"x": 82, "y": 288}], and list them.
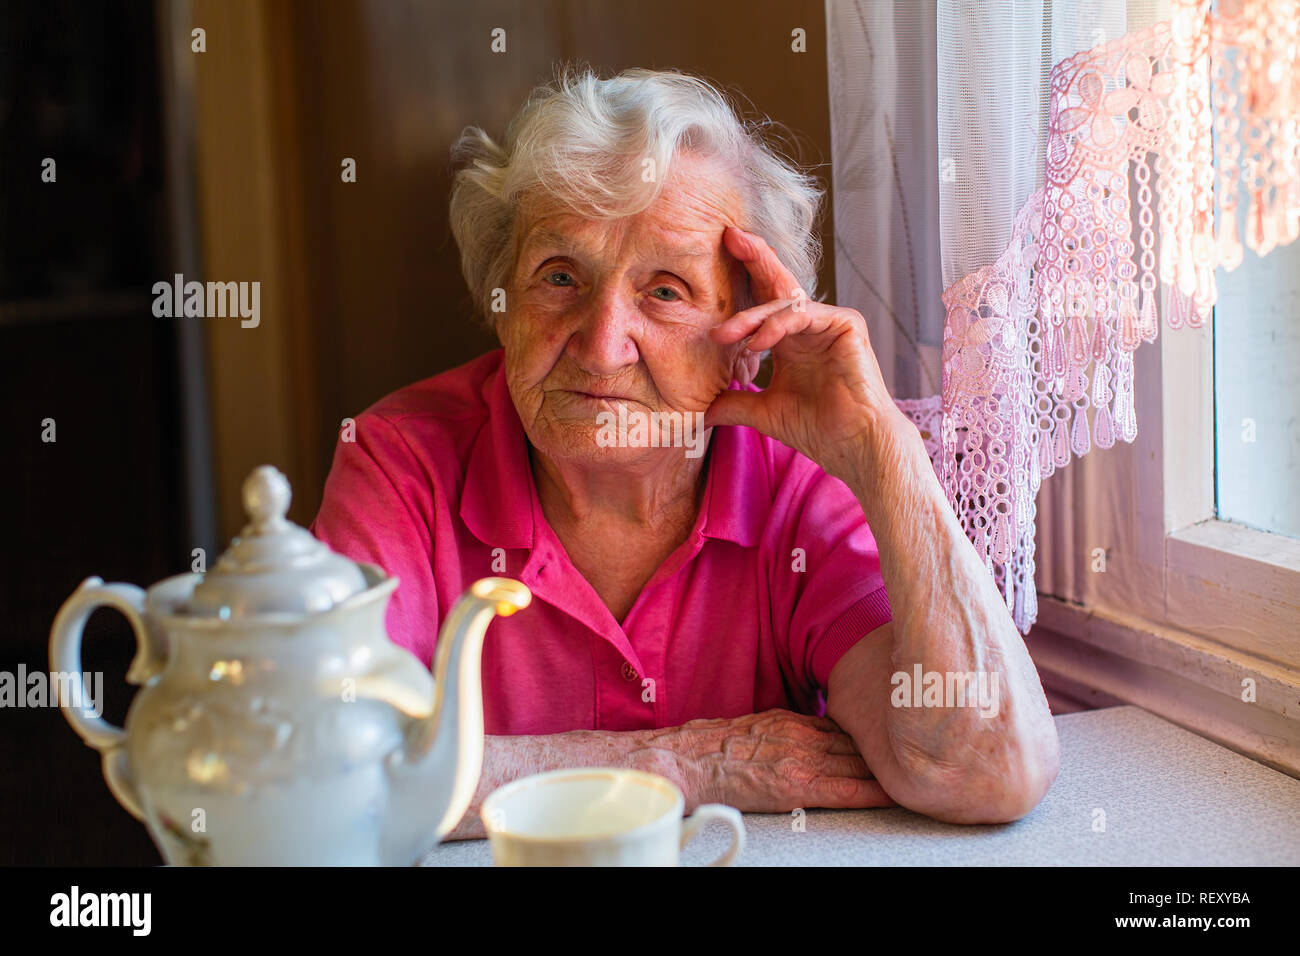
[{"x": 1227, "y": 576}]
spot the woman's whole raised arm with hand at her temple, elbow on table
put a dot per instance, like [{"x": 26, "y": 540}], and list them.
[{"x": 829, "y": 400}]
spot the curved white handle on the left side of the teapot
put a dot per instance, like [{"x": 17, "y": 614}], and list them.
[{"x": 66, "y": 639}]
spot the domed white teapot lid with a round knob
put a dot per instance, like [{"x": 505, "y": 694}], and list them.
[{"x": 275, "y": 566}]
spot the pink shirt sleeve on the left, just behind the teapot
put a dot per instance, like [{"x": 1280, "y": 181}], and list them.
[{"x": 378, "y": 509}]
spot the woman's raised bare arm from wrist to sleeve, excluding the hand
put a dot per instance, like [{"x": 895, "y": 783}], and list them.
[{"x": 993, "y": 760}]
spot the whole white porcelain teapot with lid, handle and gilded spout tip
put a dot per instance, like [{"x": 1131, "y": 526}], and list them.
[{"x": 278, "y": 725}]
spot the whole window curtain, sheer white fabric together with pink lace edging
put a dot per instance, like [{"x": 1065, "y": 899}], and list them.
[{"x": 1093, "y": 165}]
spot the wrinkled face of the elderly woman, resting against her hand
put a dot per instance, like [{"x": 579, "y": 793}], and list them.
[{"x": 617, "y": 313}]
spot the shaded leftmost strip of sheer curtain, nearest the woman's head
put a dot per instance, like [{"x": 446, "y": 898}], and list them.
[{"x": 883, "y": 81}]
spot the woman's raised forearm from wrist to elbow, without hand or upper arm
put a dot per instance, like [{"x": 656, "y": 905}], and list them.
[{"x": 951, "y": 621}]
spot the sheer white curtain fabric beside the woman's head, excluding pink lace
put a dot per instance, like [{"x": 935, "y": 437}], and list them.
[{"x": 939, "y": 115}]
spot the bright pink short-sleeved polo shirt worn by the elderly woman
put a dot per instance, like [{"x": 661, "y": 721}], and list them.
[{"x": 777, "y": 581}]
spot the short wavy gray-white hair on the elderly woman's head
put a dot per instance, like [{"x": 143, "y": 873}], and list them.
[{"x": 583, "y": 141}]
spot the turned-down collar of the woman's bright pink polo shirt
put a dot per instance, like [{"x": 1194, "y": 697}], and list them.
[{"x": 499, "y": 500}]
